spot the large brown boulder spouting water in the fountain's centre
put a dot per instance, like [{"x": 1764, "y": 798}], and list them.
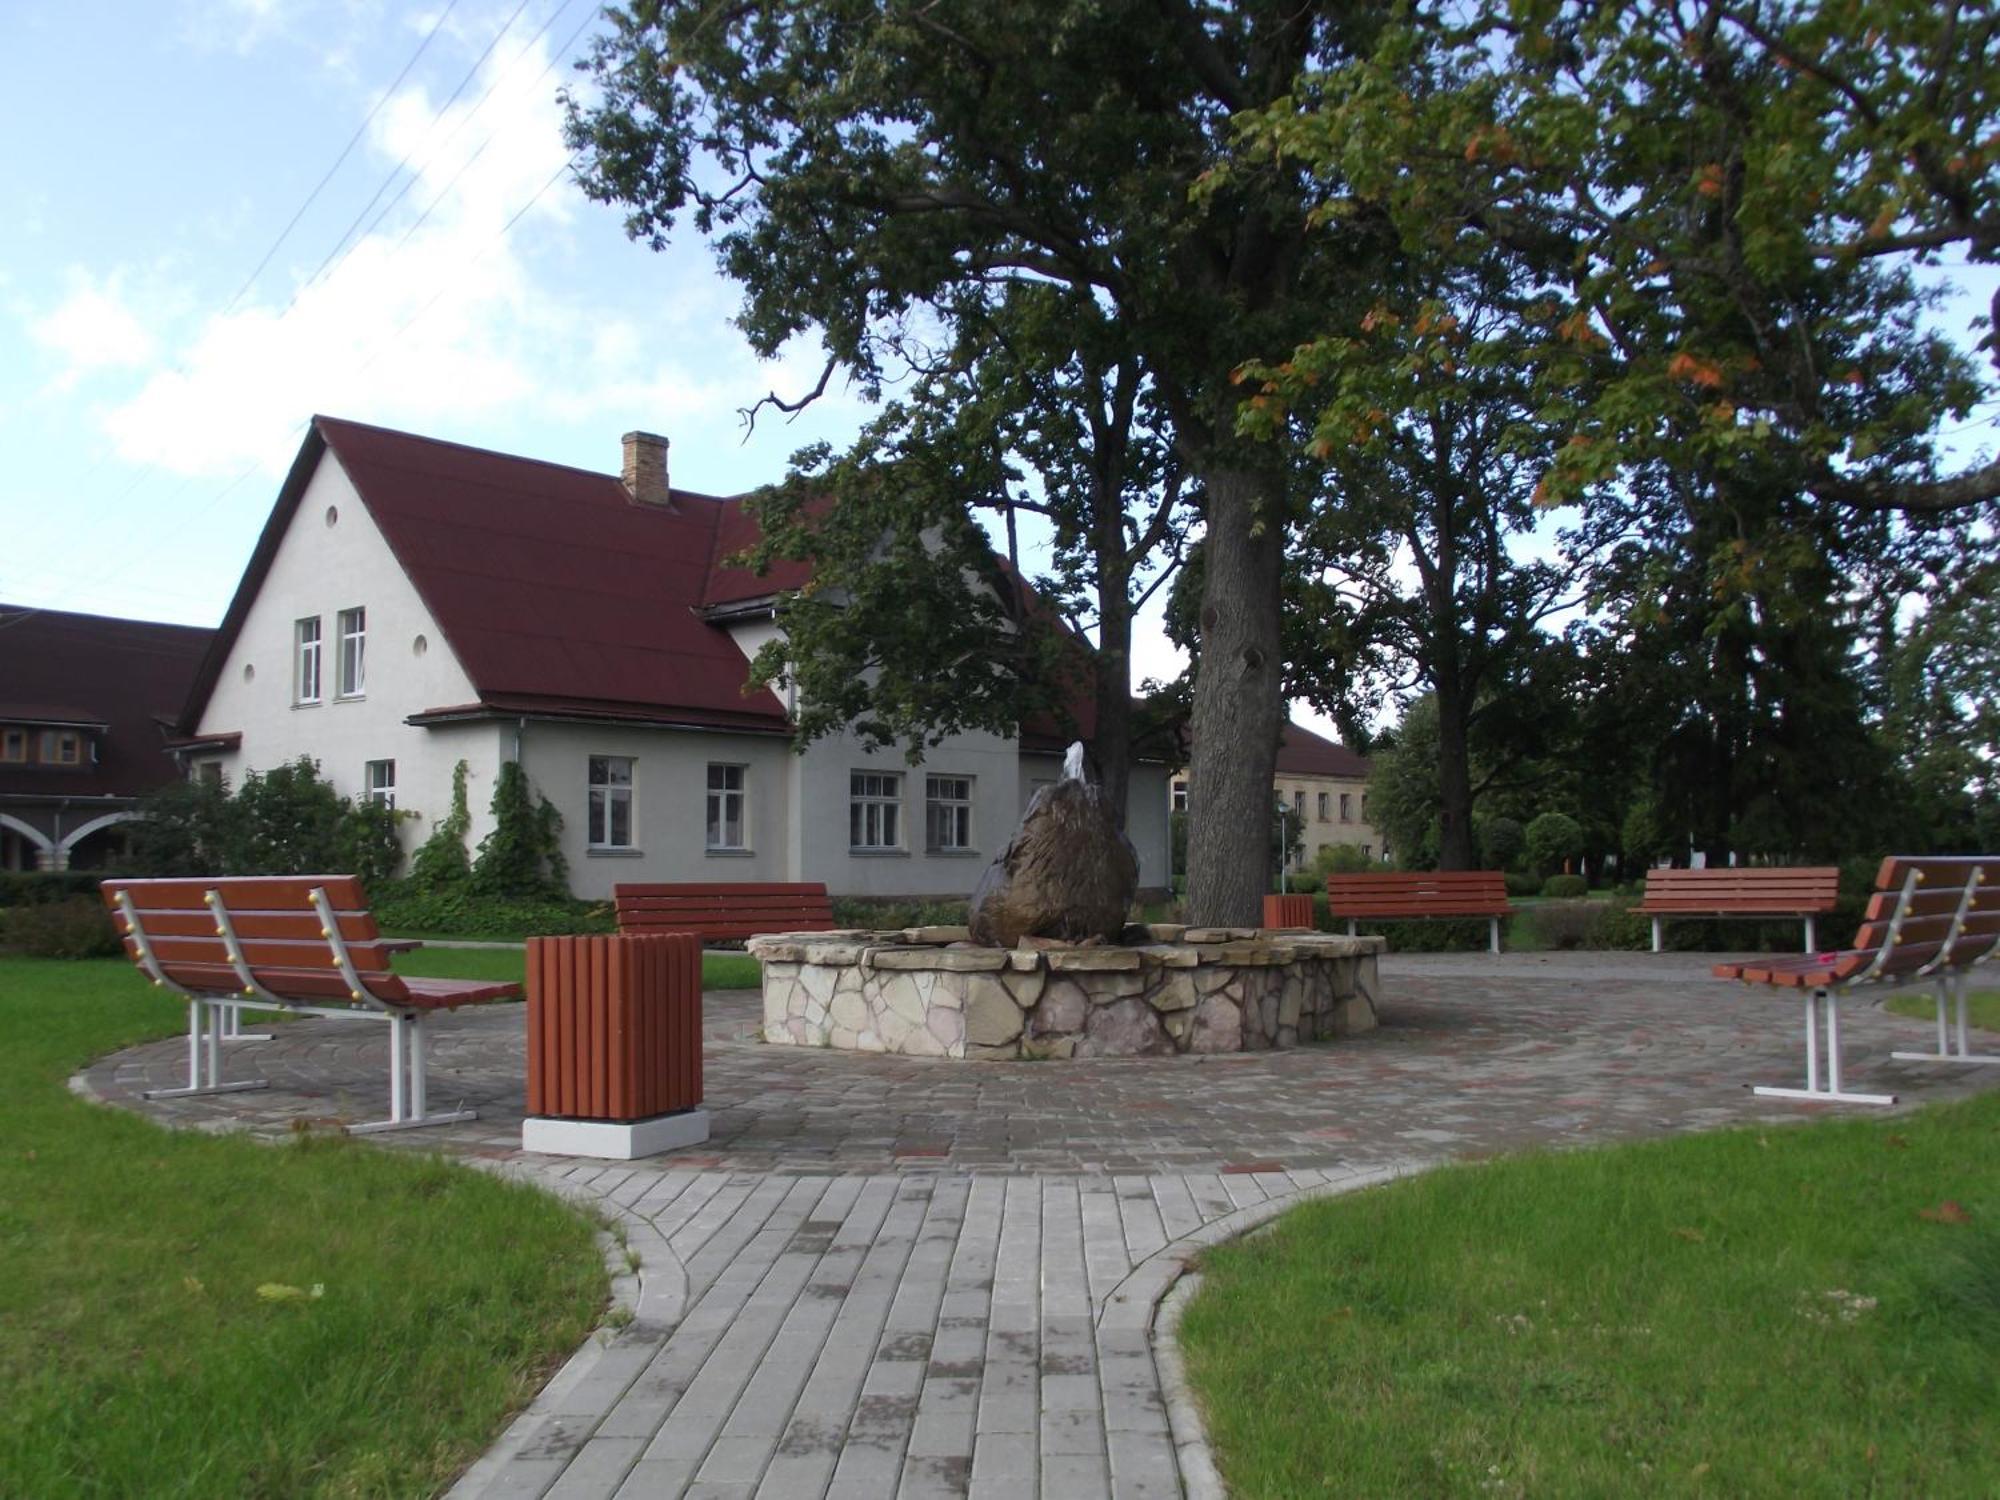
[{"x": 1069, "y": 873}]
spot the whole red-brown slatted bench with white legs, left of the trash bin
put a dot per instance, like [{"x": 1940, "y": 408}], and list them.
[{"x": 285, "y": 943}]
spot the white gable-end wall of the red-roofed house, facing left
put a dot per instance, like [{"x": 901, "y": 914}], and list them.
[{"x": 333, "y": 559}]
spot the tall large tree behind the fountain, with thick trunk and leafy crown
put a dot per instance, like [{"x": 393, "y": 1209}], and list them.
[{"x": 865, "y": 165}]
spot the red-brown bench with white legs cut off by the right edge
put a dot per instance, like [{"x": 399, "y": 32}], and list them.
[{"x": 1931, "y": 921}]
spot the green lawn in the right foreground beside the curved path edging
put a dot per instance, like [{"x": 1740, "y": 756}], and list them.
[{"x": 1803, "y": 1311}]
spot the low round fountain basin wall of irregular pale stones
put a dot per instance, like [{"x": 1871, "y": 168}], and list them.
[{"x": 1169, "y": 989}]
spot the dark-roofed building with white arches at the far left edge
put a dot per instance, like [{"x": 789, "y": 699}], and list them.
[{"x": 85, "y": 709}]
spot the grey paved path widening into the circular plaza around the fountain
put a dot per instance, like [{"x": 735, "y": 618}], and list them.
[{"x": 917, "y": 1277}]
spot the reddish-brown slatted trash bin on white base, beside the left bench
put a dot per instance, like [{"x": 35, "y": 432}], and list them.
[{"x": 615, "y": 1045}]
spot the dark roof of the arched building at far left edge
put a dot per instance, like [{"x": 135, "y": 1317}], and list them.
[{"x": 89, "y": 669}]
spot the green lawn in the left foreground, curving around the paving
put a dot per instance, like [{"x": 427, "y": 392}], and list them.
[{"x": 189, "y": 1315}]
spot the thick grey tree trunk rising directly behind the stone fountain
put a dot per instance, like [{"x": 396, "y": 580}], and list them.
[{"x": 1239, "y": 701}]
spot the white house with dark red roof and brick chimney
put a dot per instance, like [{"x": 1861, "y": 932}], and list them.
[{"x": 417, "y": 603}]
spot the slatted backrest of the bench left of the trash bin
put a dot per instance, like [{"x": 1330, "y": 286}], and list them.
[{"x": 277, "y": 927}]
